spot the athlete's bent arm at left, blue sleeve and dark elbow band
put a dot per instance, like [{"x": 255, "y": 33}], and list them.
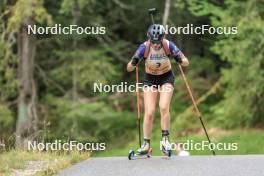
[{"x": 138, "y": 56}]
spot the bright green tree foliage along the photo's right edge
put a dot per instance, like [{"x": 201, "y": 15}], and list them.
[{"x": 244, "y": 79}]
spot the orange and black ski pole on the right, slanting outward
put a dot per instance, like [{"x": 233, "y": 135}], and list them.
[{"x": 198, "y": 114}]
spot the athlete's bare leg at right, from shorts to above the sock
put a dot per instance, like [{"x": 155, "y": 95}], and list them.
[{"x": 166, "y": 93}]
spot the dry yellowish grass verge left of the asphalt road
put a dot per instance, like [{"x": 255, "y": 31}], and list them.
[{"x": 18, "y": 159}]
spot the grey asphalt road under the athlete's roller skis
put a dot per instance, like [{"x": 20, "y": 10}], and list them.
[{"x": 237, "y": 165}]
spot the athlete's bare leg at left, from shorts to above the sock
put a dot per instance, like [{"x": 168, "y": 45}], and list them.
[{"x": 150, "y": 99}]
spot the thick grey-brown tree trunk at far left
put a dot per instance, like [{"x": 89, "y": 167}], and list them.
[{"x": 27, "y": 122}]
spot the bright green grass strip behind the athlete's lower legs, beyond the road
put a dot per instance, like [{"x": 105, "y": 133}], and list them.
[{"x": 249, "y": 141}]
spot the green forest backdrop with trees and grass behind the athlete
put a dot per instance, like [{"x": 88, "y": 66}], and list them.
[{"x": 46, "y": 81}]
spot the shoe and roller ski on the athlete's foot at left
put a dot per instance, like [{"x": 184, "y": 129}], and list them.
[{"x": 143, "y": 152}]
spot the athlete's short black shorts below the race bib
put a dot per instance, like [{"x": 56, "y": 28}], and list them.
[{"x": 159, "y": 80}]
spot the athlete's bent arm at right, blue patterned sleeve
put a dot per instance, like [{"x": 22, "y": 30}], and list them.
[{"x": 178, "y": 55}]
